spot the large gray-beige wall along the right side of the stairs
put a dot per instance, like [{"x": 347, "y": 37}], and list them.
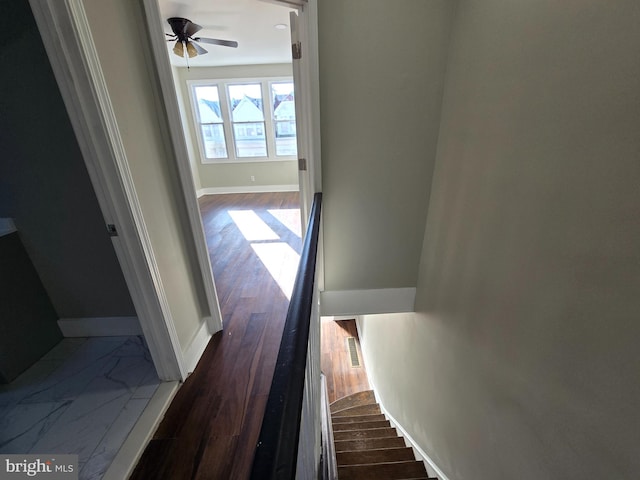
[{"x": 522, "y": 361}]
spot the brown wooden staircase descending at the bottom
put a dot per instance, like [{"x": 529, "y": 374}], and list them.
[{"x": 367, "y": 447}]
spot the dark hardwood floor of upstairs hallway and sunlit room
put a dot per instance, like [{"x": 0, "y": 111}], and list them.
[{"x": 212, "y": 425}]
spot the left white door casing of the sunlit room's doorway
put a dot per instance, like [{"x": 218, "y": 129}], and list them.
[{"x": 169, "y": 101}]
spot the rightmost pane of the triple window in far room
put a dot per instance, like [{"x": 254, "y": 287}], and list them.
[{"x": 284, "y": 114}]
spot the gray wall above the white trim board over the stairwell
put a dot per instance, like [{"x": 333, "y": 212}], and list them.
[{"x": 381, "y": 73}]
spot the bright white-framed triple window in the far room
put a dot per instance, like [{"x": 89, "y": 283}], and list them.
[{"x": 245, "y": 120}]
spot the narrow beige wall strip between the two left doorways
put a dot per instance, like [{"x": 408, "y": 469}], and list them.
[{"x": 125, "y": 58}]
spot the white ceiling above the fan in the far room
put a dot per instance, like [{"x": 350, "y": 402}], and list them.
[{"x": 249, "y": 22}]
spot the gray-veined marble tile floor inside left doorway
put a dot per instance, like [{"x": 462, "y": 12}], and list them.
[{"x": 83, "y": 397}]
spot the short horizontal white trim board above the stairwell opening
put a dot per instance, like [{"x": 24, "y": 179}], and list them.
[{"x": 361, "y": 302}]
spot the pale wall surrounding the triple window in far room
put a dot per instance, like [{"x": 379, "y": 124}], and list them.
[{"x": 231, "y": 176}]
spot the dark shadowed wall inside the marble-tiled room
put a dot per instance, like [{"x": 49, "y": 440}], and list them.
[{"x": 44, "y": 184}]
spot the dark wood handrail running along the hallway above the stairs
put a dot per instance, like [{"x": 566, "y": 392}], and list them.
[{"x": 277, "y": 448}]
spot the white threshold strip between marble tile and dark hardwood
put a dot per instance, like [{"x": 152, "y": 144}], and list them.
[{"x": 131, "y": 450}]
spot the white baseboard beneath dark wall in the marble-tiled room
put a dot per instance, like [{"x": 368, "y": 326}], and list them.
[{"x": 99, "y": 326}]
